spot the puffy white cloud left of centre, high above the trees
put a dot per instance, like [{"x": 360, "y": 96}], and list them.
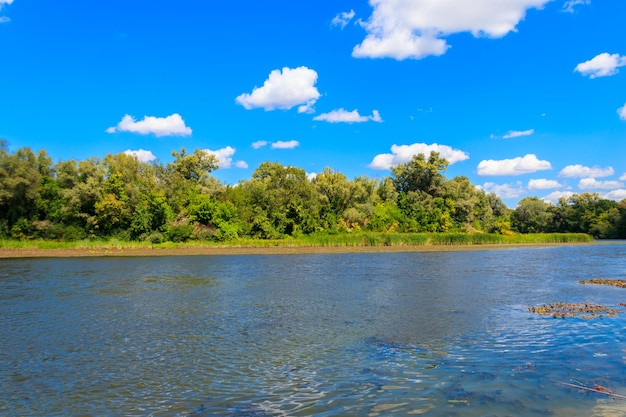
[{"x": 284, "y": 90}]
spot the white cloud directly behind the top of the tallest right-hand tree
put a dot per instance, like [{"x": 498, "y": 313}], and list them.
[{"x": 404, "y": 153}]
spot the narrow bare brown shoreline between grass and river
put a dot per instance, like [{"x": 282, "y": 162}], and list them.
[{"x": 271, "y": 250}]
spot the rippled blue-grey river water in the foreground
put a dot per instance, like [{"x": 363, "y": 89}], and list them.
[{"x": 438, "y": 334}]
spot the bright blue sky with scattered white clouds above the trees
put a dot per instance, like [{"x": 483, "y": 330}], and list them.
[{"x": 524, "y": 97}]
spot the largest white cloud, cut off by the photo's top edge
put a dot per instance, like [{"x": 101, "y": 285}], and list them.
[{"x": 414, "y": 29}]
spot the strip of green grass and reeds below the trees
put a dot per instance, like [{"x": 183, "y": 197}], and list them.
[{"x": 355, "y": 239}]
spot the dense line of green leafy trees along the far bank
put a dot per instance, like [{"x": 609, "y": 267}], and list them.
[{"x": 122, "y": 197}]
